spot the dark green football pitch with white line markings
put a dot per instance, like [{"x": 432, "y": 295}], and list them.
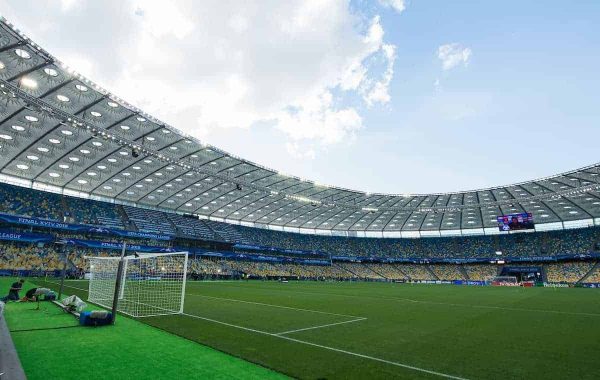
[{"x": 317, "y": 330}]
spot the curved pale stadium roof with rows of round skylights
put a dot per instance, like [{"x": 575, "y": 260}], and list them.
[{"x": 60, "y": 129}]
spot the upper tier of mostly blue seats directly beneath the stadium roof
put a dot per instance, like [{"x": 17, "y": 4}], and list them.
[{"x": 22, "y": 201}]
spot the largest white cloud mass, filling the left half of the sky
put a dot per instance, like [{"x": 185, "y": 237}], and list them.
[{"x": 222, "y": 65}]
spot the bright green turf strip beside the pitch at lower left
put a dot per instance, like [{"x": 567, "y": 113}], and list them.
[{"x": 128, "y": 350}]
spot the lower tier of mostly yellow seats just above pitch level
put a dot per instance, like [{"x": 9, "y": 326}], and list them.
[{"x": 39, "y": 258}]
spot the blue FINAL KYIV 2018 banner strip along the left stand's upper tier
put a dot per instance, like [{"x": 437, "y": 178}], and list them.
[{"x": 36, "y": 222}]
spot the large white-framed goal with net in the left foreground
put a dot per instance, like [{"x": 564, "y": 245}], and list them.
[{"x": 151, "y": 284}]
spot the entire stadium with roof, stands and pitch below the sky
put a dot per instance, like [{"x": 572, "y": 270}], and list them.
[{"x": 208, "y": 265}]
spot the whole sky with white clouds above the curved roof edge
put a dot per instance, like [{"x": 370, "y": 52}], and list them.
[{"x": 392, "y": 96}]
